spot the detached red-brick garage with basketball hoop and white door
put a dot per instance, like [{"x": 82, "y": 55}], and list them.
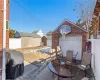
[{"x": 69, "y": 36}]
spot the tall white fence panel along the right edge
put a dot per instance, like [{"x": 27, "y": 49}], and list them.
[{"x": 96, "y": 57}]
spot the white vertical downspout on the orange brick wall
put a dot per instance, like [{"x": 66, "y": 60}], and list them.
[{"x": 4, "y": 42}]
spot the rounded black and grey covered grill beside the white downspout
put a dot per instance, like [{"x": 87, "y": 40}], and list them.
[{"x": 14, "y": 64}]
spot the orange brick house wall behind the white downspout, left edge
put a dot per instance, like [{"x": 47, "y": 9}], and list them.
[{"x": 1, "y": 31}]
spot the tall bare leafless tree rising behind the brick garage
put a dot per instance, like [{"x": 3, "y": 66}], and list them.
[{"x": 84, "y": 9}]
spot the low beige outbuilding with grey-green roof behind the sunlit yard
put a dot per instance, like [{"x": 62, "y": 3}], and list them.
[{"x": 28, "y": 39}]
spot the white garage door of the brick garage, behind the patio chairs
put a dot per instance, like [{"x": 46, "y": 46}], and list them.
[{"x": 71, "y": 43}]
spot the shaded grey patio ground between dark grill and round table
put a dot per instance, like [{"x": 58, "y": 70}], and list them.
[{"x": 33, "y": 72}]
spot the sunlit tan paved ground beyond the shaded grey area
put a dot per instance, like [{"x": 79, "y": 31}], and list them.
[{"x": 33, "y": 57}]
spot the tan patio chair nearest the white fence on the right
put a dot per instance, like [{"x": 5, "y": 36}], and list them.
[{"x": 85, "y": 63}]
